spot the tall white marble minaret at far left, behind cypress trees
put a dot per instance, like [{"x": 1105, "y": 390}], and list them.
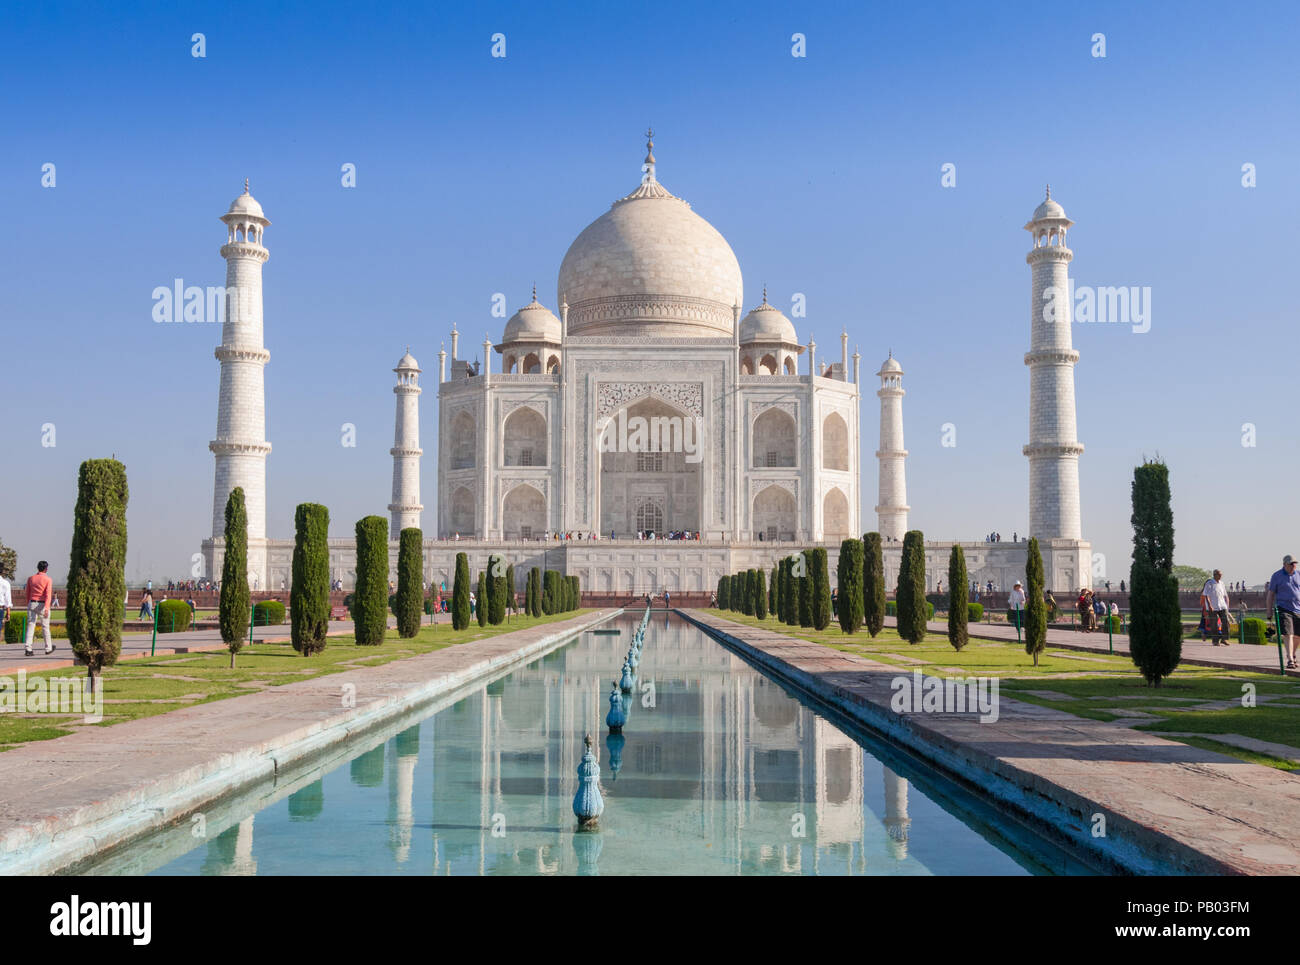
[{"x": 241, "y": 445}]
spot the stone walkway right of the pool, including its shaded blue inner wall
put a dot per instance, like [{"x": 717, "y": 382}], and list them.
[{"x": 1168, "y": 807}]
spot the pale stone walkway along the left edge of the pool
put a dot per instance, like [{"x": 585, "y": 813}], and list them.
[{"x": 67, "y": 799}]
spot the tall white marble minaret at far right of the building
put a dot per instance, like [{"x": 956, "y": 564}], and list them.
[{"x": 1054, "y": 449}]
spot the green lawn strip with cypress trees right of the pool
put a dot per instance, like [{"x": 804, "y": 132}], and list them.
[{"x": 1091, "y": 685}]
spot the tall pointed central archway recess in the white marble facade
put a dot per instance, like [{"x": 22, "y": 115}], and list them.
[{"x": 651, "y": 470}]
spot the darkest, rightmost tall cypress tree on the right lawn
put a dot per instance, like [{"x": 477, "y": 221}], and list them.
[{"x": 1155, "y": 625}]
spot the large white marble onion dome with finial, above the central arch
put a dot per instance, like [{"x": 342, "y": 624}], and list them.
[{"x": 651, "y": 267}]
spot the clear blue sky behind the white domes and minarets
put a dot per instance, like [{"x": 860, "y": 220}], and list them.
[{"x": 824, "y": 172}]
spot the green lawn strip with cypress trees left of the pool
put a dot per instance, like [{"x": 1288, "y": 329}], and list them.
[{"x": 154, "y": 686}]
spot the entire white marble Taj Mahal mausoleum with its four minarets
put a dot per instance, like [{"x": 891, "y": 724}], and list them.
[{"x": 651, "y": 403}]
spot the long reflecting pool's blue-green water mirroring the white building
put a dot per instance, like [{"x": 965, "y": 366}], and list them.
[{"x": 721, "y": 771}]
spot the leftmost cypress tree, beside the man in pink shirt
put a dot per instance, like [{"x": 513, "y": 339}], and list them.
[{"x": 97, "y": 570}]
